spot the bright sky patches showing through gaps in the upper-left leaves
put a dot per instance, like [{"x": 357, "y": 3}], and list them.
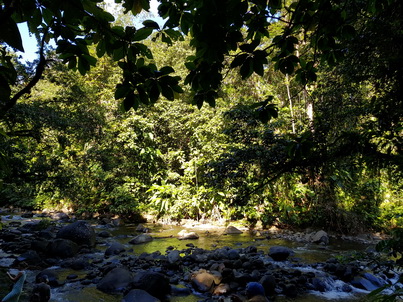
[{"x": 30, "y": 44}]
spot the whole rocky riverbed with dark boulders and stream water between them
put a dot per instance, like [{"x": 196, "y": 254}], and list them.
[{"x": 105, "y": 260}]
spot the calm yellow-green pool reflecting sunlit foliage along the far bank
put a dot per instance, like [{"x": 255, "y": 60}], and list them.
[{"x": 166, "y": 237}]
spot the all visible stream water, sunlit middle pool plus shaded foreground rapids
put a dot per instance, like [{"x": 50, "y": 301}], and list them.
[{"x": 165, "y": 237}]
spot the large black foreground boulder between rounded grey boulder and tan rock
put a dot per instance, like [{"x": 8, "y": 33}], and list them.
[{"x": 156, "y": 284}]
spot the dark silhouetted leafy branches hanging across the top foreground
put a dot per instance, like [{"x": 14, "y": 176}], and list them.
[{"x": 217, "y": 29}]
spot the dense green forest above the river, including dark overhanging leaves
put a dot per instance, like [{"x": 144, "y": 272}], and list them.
[{"x": 304, "y": 127}]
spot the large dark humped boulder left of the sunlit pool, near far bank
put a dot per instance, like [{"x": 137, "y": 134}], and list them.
[{"x": 80, "y": 232}]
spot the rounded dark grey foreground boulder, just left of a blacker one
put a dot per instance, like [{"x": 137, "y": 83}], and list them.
[{"x": 115, "y": 281}]
